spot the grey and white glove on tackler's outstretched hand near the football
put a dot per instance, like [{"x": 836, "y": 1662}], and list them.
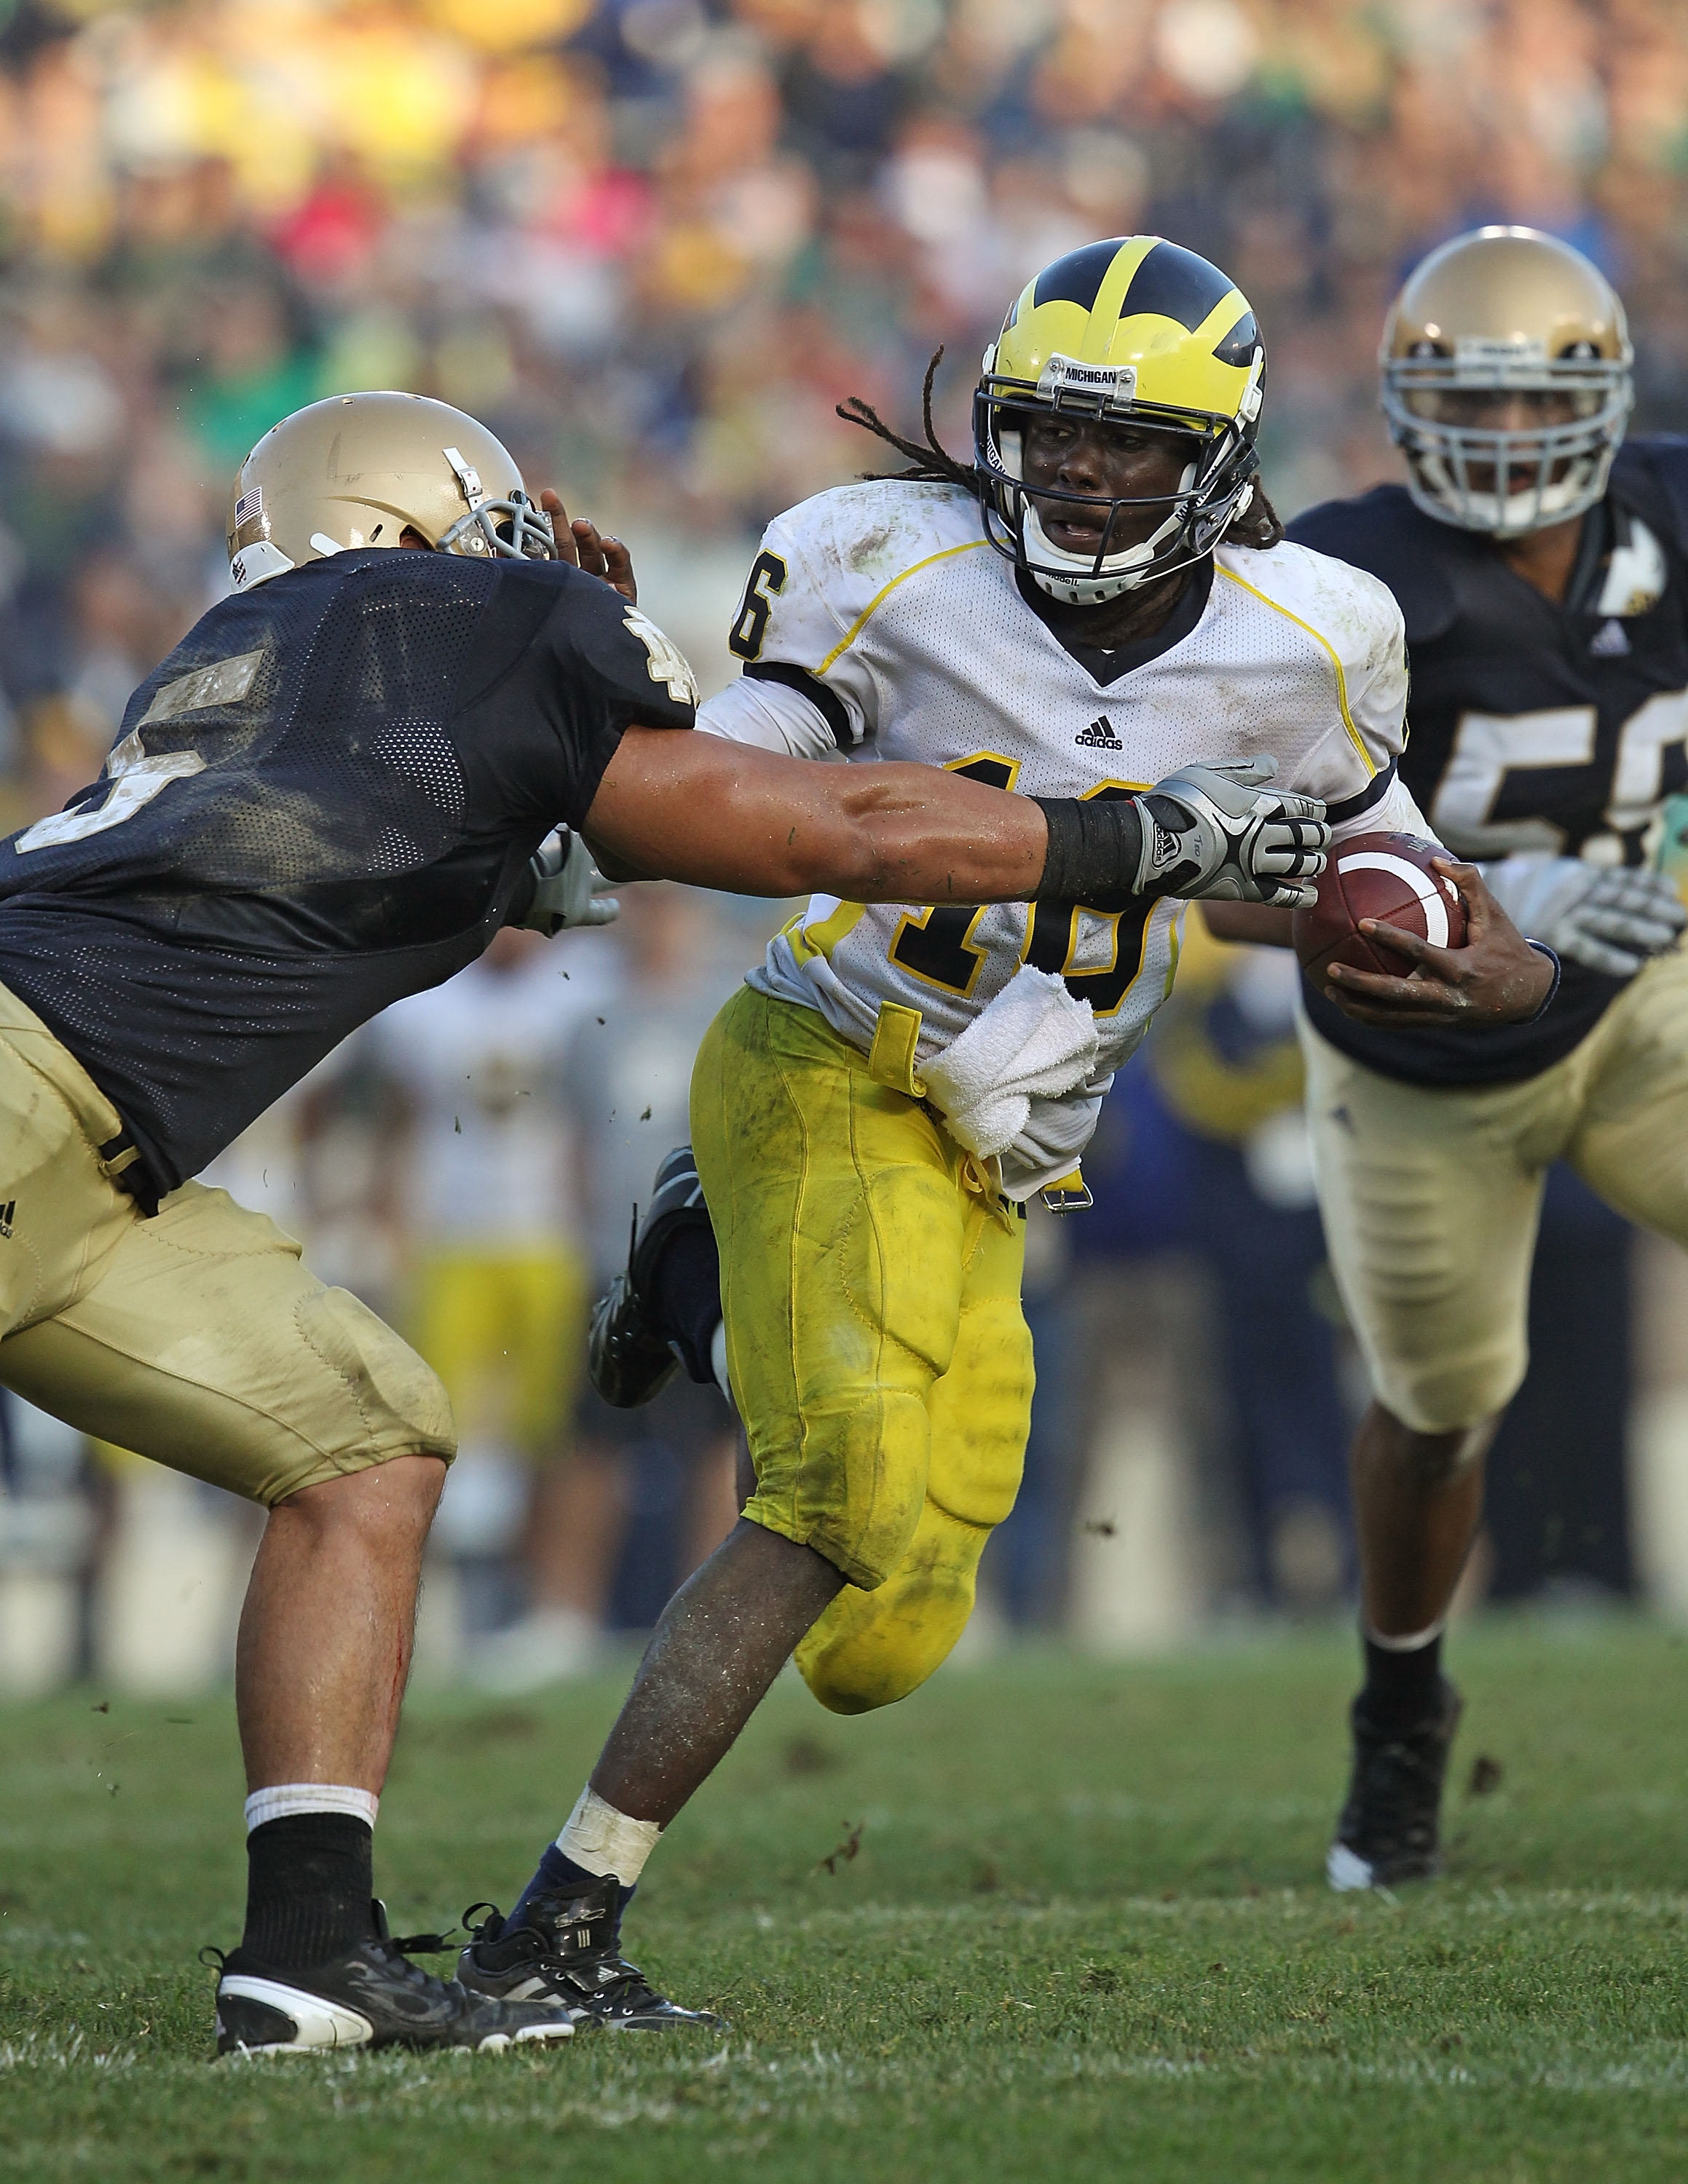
[{"x": 1220, "y": 833}]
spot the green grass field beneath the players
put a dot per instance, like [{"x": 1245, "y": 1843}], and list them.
[{"x": 1082, "y": 1934}]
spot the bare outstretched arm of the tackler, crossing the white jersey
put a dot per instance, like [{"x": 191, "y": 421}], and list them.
[{"x": 730, "y": 816}]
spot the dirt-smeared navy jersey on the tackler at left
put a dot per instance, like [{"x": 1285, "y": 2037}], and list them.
[{"x": 326, "y": 798}]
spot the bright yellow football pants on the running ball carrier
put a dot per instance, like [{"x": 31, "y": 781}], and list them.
[{"x": 870, "y": 1285}]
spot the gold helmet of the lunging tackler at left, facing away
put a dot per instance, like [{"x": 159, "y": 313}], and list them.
[{"x": 361, "y": 471}]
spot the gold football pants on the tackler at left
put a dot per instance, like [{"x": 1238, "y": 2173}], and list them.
[{"x": 193, "y": 1338}]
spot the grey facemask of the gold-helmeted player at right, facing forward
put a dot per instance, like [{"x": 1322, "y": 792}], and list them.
[{"x": 1562, "y": 468}]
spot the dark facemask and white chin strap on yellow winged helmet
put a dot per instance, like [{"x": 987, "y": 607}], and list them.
[{"x": 1213, "y": 492}]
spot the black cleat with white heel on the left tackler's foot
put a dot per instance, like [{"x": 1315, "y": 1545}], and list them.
[{"x": 368, "y": 1997}]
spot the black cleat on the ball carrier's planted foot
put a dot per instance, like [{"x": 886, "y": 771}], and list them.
[{"x": 564, "y": 1954}]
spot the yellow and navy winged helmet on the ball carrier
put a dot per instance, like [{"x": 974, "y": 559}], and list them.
[{"x": 1143, "y": 331}]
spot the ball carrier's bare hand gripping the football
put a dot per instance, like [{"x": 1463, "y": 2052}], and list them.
[{"x": 1495, "y": 980}]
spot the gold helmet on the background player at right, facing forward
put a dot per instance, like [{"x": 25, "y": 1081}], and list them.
[{"x": 1508, "y": 381}]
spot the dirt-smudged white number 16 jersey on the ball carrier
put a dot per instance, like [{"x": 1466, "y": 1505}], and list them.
[{"x": 879, "y": 624}]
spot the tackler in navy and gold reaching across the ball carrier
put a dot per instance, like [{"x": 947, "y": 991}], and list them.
[{"x": 335, "y": 792}]
